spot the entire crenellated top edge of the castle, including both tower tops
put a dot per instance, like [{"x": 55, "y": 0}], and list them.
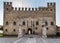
[{"x": 30, "y": 9}]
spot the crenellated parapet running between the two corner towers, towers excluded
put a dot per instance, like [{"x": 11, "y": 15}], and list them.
[{"x": 29, "y": 9}]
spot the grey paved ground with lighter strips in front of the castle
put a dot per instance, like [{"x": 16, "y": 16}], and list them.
[{"x": 29, "y": 40}]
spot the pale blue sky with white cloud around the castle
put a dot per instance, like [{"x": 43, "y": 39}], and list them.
[{"x": 31, "y": 3}]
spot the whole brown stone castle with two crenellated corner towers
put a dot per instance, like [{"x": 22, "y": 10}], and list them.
[{"x": 29, "y": 19}]
